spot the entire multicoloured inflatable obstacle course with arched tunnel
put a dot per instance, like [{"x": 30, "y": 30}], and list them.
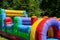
[{"x": 17, "y": 23}]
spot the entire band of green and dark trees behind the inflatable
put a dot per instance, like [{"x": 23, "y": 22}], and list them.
[{"x": 34, "y": 7}]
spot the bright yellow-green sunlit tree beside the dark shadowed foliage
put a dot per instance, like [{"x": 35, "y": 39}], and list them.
[{"x": 34, "y": 7}]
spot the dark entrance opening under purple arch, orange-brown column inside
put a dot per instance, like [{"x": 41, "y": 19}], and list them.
[{"x": 52, "y": 31}]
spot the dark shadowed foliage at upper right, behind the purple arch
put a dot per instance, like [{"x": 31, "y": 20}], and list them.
[{"x": 51, "y": 7}]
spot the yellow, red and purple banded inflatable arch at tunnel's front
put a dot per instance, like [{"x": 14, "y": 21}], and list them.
[{"x": 40, "y": 28}]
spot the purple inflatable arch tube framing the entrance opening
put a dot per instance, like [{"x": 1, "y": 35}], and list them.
[{"x": 47, "y": 25}]
